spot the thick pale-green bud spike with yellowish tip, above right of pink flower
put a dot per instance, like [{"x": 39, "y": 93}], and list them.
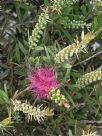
[{"x": 67, "y": 53}]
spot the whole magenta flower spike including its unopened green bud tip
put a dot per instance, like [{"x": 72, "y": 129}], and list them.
[{"x": 44, "y": 84}]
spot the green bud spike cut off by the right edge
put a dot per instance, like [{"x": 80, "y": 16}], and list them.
[{"x": 89, "y": 78}]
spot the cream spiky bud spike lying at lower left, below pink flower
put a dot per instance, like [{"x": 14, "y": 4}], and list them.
[{"x": 32, "y": 112}]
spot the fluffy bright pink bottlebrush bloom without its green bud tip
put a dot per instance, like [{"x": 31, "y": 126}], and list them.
[{"x": 42, "y": 81}]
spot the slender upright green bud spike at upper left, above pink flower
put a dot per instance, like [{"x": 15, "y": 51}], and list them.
[{"x": 38, "y": 30}]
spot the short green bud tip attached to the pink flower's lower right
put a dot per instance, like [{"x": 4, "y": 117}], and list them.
[{"x": 56, "y": 96}]
